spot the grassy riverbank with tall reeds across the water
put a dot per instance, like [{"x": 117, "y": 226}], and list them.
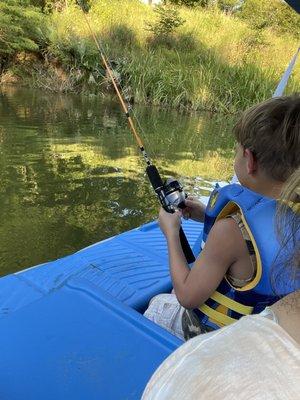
[{"x": 214, "y": 61}]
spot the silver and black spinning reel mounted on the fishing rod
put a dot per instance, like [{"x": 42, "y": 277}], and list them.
[{"x": 171, "y": 195}]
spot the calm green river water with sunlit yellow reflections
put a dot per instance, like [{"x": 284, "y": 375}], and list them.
[{"x": 71, "y": 173}]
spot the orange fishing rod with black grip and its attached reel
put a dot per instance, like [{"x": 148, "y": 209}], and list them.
[{"x": 170, "y": 193}]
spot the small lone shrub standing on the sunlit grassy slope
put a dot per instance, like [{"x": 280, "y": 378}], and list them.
[{"x": 168, "y": 19}]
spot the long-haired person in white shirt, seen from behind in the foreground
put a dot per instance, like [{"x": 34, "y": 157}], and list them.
[{"x": 256, "y": 358}]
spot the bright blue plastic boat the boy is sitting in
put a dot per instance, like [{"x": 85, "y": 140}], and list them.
[{"x": 74, "y": 329}]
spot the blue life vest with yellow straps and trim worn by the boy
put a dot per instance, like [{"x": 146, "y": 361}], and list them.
[{"x": 227, "y": 304}]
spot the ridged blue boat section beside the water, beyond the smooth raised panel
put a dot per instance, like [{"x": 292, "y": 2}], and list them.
[{"x": 132, "y": 267}]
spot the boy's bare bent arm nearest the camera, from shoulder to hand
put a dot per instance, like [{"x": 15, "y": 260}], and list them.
[{"x": 224, "y": 246}]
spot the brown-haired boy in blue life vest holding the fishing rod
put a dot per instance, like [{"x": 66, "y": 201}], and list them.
[{"x": 231, "y": 276}]
